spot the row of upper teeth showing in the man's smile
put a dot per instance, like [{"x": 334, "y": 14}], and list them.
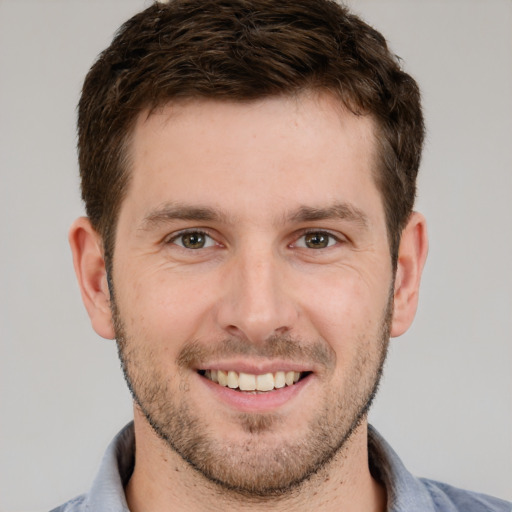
[{"x": 250, "y": 382}]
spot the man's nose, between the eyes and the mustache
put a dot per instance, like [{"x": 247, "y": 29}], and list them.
[{"x": 256, "y": 302}]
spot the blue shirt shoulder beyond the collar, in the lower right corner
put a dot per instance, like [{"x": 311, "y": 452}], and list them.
[{"x": 451, "y": 499}]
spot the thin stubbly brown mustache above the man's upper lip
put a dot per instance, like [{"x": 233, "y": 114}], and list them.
[{"x": 196, "y": 353}]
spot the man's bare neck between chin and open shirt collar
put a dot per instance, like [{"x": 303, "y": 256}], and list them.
[{"x": 162, "y": 481}]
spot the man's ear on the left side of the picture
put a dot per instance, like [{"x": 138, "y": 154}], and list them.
[{"x": 89, "y": 263}]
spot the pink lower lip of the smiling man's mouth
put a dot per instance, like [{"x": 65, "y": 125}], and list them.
[{"x": 257, "y": 402}]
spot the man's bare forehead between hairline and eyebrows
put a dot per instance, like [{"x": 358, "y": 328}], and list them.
[{"x": 264, "y": 155}]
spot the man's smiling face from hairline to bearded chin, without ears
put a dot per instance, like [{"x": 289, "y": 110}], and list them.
[{"x": 251, "y": 251}]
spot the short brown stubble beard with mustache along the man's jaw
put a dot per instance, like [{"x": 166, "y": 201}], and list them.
[{"x": 259, "y": 467}]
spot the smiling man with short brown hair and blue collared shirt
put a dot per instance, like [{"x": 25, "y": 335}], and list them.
[{"x": 248, "y": 169}]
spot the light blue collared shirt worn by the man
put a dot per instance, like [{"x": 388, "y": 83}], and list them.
[{"x": 406, "y": 493}]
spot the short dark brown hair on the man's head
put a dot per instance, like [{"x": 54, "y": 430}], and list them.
[{"x": 241, "y": 50}]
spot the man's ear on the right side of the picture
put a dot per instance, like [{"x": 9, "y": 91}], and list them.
[{"x": 412, "y": 254}]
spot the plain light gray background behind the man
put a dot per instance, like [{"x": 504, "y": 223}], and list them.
[{"x": 446, "y": 401}]
